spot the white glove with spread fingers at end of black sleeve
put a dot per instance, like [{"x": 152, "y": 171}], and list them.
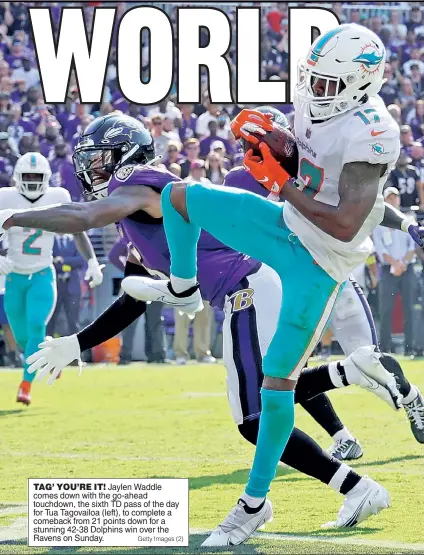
[{"x": 53, "y": 356}]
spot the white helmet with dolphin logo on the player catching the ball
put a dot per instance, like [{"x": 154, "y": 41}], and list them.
[{"x": 349, "y": 63}]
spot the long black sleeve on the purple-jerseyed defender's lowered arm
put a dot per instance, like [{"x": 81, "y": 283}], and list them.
[{"x": 116, "y": 317}]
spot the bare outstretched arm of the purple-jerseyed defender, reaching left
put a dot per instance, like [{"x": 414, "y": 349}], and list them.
[{"x": 78, "y": 217}]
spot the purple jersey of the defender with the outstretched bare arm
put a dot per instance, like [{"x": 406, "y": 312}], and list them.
[{"x": 219, "y": 267}]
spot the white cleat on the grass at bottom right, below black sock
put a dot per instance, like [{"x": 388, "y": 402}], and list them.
[{"x": 367, "y": 498}]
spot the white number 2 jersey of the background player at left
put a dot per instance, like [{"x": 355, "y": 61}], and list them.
[{"x": 30, "y": 249}]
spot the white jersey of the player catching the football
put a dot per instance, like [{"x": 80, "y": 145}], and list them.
[{"x": 365, "y": 134}]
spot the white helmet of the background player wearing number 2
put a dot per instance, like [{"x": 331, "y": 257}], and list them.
[{"x": 32, "y": 175}]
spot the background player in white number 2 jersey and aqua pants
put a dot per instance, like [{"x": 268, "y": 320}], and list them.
[{"x": 30, "y": 292}]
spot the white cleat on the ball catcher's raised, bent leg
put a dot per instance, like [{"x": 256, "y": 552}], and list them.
[{"x": 148, "y": 289}]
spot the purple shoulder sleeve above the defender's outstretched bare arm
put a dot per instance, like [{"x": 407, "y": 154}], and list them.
[{"x": 142, "y": 176}]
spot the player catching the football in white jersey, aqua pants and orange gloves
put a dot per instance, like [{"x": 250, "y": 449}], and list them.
[{"x": 347, "y": 144}]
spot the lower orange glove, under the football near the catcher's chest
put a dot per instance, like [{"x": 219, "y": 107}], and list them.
[{"x": 267, "y": 171}]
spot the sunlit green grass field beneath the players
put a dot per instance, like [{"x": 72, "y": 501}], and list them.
[{"x": 147, "y": 421}]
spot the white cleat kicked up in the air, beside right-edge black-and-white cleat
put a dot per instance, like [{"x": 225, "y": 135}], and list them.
[{"x": 363, "y": 368}]
